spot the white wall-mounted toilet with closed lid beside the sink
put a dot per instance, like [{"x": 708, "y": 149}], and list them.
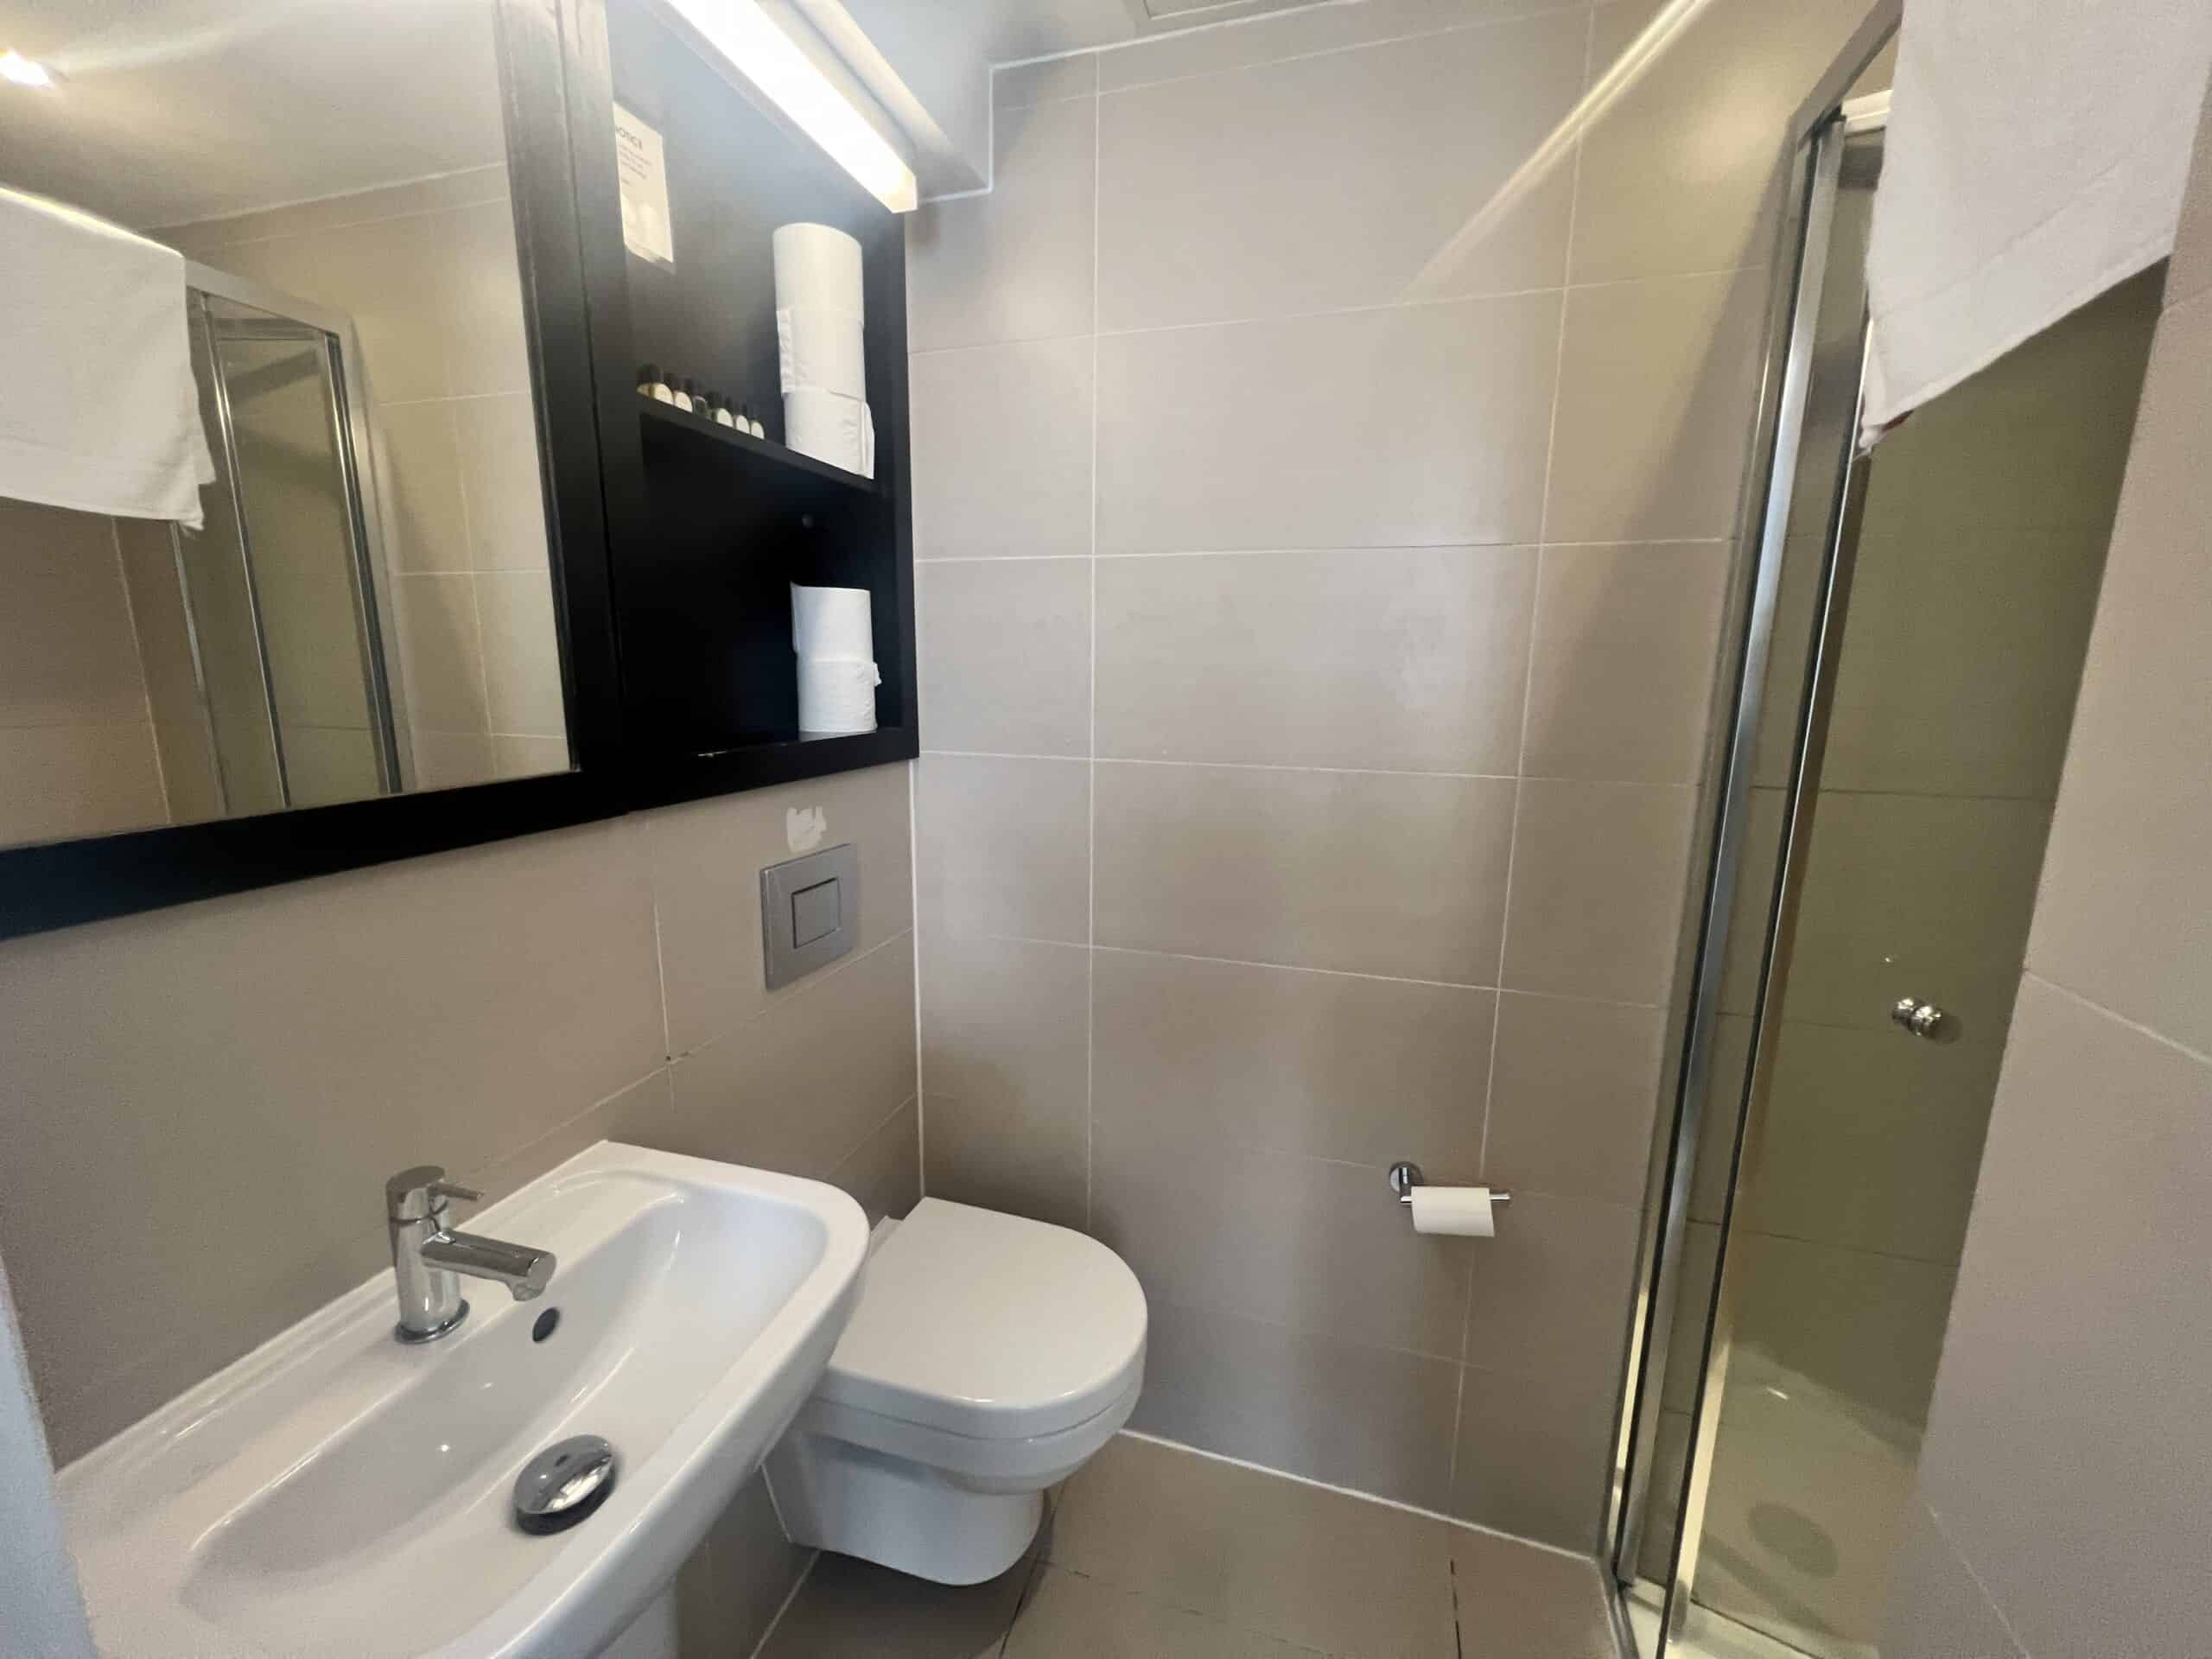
[{"x": 988, "y": 1359}]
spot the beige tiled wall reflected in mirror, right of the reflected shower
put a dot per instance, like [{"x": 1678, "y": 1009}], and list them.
[{"x": 430, "y": 275}]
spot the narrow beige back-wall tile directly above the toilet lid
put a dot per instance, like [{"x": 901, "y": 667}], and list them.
[{"x": 1008, "y": 1076}]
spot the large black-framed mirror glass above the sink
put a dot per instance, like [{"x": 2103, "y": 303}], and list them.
[{"x": 368, "y": 605}]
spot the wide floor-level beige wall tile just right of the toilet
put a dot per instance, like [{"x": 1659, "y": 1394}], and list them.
[{"x": 1300, "y": 1401}]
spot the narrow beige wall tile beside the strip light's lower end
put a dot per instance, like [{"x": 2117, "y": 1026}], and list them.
[{"x": 1012, "y": 264}]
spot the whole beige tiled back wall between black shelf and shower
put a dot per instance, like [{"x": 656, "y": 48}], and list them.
[{"x": 1326, "y": 455}]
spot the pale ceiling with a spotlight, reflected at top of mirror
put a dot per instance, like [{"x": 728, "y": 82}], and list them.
[{"x": 194, "y": 109}]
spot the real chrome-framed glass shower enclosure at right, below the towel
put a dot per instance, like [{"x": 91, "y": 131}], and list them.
[{"x": 1908, "y": 647}]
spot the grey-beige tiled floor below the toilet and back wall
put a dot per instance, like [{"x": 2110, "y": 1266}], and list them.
[{"x": 1160, "y": 1554}]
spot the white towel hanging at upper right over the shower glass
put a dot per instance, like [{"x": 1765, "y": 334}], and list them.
[{"x": 2036, "y": 156}]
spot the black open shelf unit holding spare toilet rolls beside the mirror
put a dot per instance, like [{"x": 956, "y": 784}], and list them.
[{"x": 709, "y": 528}]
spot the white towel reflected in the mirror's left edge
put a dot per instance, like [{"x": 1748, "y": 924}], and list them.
[{"x": 96, "y": 368}]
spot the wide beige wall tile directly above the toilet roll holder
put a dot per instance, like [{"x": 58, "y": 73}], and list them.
[{"x": 1333, "y": 1065}]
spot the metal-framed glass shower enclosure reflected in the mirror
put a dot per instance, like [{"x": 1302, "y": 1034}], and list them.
[{"x": 282, "y": 589}]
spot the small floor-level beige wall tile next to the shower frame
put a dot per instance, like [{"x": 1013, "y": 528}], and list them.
[{"x": 1534, "y": 1457}]
